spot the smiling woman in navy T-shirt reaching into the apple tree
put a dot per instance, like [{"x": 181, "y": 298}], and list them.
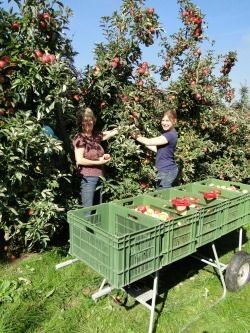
[{"x": 164, "y": 146}]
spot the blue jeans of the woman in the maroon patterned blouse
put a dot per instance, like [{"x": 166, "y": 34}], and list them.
[{"x": 89, "y": 194}]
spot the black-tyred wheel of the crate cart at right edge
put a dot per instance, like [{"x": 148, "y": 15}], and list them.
[{"x": 238, "y": 271}]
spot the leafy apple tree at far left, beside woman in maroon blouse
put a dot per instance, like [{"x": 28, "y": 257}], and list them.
[{"x": 39, "y": 93}]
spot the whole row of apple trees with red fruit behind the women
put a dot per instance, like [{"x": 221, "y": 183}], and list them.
[{"x": 40, "y": 86}]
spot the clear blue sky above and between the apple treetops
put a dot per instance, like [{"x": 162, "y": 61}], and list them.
[{"x": 228, "y": 25}]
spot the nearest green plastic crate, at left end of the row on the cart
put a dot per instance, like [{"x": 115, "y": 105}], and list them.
[{"x": 120, "y": 248}]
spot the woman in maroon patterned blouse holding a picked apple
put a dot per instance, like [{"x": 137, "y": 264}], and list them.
[{"x": 89, "y": 155}]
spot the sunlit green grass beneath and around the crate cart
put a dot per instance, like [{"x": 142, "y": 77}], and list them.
[{"x": 40, "y": 299}]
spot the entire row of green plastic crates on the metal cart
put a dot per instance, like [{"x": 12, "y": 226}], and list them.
[{"x": 124, "y": 245}]
